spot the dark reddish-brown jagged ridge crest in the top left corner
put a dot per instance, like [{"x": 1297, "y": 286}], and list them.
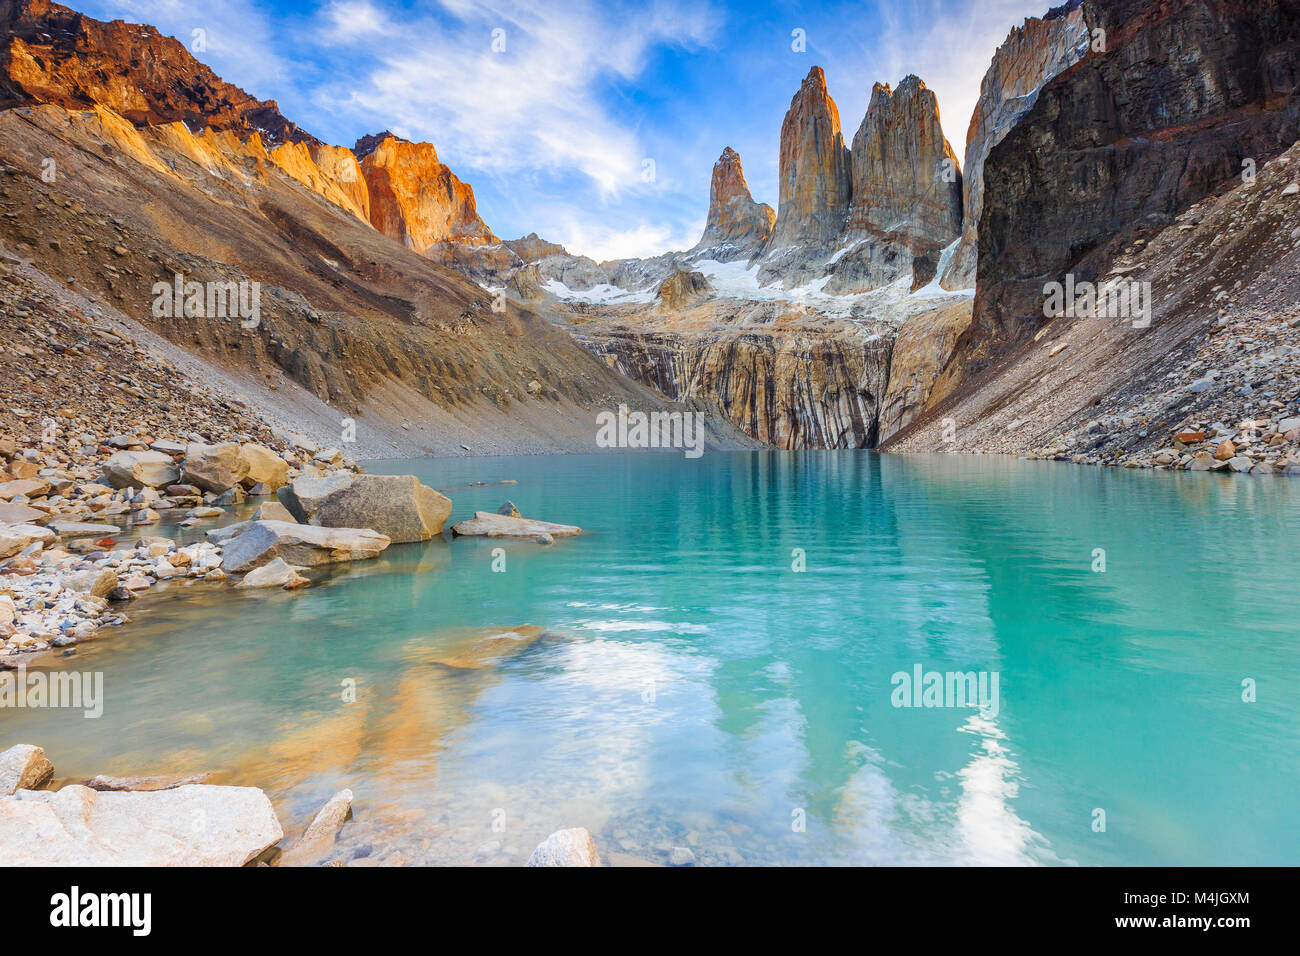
[{"x": 51, "y": 54}]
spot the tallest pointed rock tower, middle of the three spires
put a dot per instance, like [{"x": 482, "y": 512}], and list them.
[{"x": 814, "y": 168}]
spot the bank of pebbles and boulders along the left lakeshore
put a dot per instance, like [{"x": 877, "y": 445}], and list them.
[{"x": 76, "y": 521}]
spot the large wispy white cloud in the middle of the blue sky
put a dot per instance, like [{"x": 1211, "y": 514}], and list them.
[{"x": 508, "y": 88}]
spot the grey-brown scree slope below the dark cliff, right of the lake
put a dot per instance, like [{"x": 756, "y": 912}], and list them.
[{"x": 1219, "y": 362}]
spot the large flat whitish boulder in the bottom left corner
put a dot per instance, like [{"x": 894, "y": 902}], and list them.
[{"x": 188, "y": 827}]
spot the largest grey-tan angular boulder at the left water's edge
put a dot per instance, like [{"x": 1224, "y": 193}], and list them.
[{"x": 397, "y": 507}]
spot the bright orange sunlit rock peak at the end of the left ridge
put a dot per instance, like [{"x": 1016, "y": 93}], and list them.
[{"x": 417, "y": 200}]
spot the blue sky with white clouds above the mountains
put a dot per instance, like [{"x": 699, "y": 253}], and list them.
[{"x": 593, "y": 124}]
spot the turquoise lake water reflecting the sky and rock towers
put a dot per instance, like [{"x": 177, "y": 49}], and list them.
[{"x": 694, "y": 690}]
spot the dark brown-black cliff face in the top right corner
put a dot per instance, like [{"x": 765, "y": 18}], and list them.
[{"x": 1126, "y": 139}]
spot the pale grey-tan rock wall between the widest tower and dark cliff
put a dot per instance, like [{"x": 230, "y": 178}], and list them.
[{"x": 1030, "y": 55}]
